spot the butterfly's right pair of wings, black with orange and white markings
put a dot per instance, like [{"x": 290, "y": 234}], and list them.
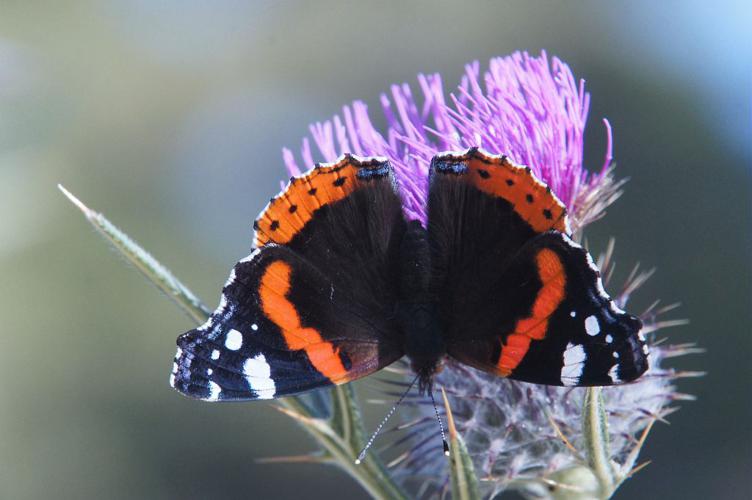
[{"x": 518, "y": 297}]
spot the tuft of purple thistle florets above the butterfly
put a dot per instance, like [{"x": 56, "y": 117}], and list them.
[{"x": 530, "y": 108}]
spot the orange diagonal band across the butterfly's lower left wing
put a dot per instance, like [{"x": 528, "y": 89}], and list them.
[{"x": 324, "y": 356}]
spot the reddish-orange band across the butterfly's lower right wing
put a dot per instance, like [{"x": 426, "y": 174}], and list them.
[{"x": 552, "y": 275}]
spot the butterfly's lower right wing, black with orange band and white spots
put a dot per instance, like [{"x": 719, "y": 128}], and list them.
[{"x": 571, "y": 332}]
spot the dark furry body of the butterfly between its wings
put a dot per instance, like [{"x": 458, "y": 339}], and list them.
[{"x": 417, "y": 311}]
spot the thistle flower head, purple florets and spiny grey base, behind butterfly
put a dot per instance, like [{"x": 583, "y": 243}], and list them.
[{"x": 533, "y": 110}]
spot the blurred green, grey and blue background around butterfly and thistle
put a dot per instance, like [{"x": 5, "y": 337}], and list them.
[{"x": 169, "y": 117}]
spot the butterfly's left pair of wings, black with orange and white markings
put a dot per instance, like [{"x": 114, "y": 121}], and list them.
[{"x": 311, "y": 306}]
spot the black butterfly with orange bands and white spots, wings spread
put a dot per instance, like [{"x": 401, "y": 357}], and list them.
[{"x": 340, "y": 285}]
